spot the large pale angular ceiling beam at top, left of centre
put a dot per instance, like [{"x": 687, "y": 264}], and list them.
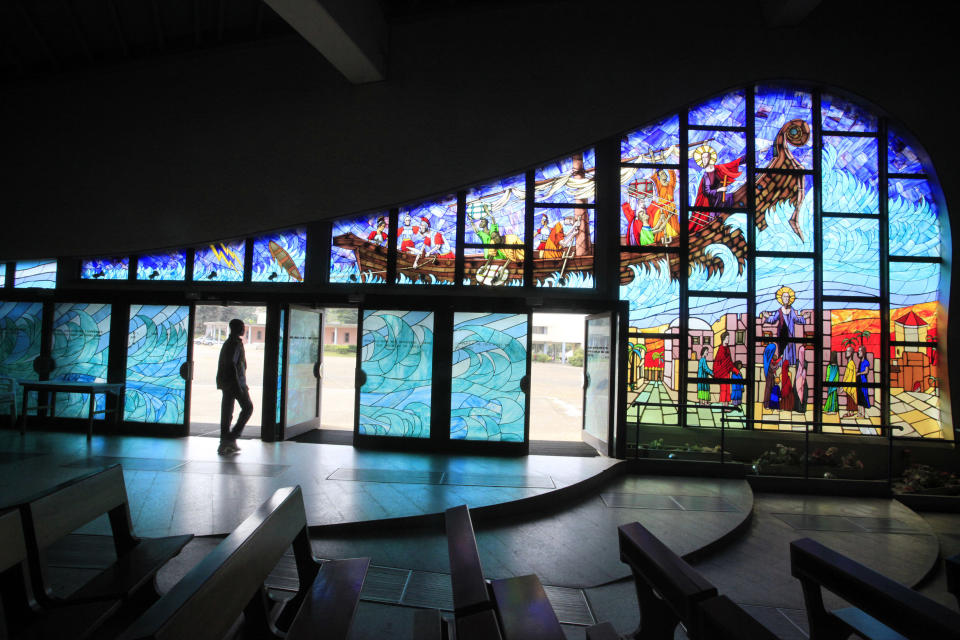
[{"x": 351, "y": 34}]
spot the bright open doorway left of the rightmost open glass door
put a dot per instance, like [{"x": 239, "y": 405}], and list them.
[{"x": 556, "y": 385}]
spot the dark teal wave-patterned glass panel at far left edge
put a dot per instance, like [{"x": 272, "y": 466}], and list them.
[{"x": 20, "y": 330}]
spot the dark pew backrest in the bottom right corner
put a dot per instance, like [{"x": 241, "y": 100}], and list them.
[{"x": 895, "y": 605}]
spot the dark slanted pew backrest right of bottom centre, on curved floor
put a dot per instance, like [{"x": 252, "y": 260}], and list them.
[{"x": 676, "y": 582}]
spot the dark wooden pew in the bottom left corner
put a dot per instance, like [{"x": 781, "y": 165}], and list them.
[{"x": 19, "y": 616}]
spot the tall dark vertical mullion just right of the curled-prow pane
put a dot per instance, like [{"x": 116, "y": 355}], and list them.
[{"x": 816, "y": 120}]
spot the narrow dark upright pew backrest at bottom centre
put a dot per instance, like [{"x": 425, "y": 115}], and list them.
[{"x": 470, "y": 591}]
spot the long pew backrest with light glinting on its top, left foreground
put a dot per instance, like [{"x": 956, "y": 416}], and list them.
[{"x": 210, "y": 597}]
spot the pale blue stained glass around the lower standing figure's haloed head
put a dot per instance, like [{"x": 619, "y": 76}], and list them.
[{"x": 780, "y": 279}]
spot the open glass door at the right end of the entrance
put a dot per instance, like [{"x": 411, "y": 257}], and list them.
[{"x": 598, "y": 376}]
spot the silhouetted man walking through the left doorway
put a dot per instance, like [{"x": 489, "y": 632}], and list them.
[{"x": 232, "y": 381}]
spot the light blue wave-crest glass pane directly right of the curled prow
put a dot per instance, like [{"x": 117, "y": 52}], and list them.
[{"x": 849, "y": 173}]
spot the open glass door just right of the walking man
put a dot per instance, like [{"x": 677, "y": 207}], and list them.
[{"x": 302, "y": 368}]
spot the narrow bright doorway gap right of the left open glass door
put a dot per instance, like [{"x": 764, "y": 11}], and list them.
[{"x": 339, "y": 369}]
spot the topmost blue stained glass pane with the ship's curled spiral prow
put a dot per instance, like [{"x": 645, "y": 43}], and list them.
[{"x": 785, "y": 112}]
